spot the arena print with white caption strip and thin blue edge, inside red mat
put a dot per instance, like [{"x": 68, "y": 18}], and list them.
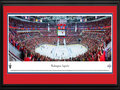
[{"x": 60, "y": 43}]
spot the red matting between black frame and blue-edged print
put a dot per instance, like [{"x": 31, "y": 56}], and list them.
[{"x": 59, "y": 78}]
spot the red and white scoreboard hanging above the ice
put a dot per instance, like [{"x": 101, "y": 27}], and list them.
[{"x": 61, "y": 28}]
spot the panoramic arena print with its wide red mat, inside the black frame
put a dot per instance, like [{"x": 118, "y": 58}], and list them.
[{"x": 60, "y": 44}]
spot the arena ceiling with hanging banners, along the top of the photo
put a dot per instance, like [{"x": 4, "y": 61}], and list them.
[{"x": 56, "y": 19}]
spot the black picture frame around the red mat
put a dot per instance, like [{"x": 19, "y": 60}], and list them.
[{"x": 62, "y": 3}]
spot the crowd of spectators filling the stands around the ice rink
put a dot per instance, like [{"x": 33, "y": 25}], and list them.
[{"x": 95, "y": 41}]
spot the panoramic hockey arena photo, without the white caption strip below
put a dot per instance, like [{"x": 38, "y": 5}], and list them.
[{"x": 60, "y": 38}]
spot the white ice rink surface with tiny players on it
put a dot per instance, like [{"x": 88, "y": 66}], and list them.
[{"x": 61, "y": 51}]
